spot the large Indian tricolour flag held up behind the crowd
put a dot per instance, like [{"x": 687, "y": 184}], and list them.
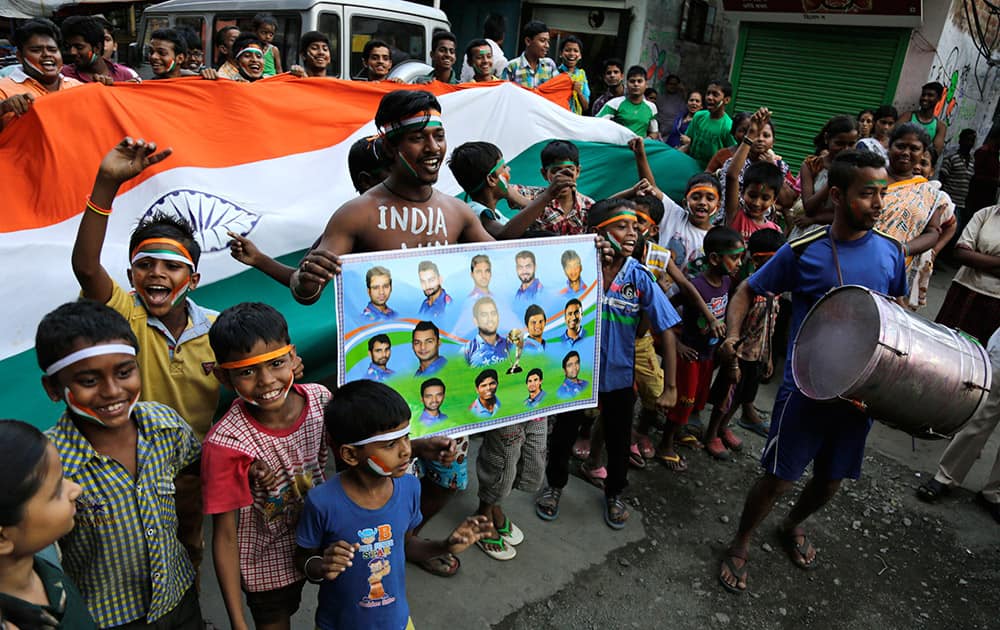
[{"x": 268, "y": 160}]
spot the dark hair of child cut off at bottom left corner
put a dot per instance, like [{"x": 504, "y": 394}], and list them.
[{"x": 23, "y": 464}]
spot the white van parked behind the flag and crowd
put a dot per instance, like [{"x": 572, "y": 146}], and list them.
[{"x": 406, "y": 26}]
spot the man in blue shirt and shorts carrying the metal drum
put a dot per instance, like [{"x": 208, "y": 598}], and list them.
[{"x": 831, "y": 435}]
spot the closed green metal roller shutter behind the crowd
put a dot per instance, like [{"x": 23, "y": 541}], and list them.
[{"x": 807, "y": 74}]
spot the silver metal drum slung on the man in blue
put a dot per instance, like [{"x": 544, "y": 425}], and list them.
[{"x": 910, "y": 373}]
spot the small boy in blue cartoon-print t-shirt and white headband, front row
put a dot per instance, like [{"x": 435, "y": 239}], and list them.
[{"x": 351, "y": 526}]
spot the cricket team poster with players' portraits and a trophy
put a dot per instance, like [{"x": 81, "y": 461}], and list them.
[{"x": 475, "y": 336}]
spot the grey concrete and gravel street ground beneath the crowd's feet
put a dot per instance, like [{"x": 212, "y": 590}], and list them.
[{"x": 576, "y": 572}]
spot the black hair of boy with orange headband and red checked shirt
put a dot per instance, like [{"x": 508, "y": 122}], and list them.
[{"x": 239, "y": 327}]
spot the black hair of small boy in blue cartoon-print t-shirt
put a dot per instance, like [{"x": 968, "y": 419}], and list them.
[{"x": 361, "y": 409}]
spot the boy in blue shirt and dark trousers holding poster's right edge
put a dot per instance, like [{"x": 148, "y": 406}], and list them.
[{"x": 629, "y": 293}]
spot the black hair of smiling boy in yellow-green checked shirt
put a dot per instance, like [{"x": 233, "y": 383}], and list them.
[{"x": 73, "y": 322}]
